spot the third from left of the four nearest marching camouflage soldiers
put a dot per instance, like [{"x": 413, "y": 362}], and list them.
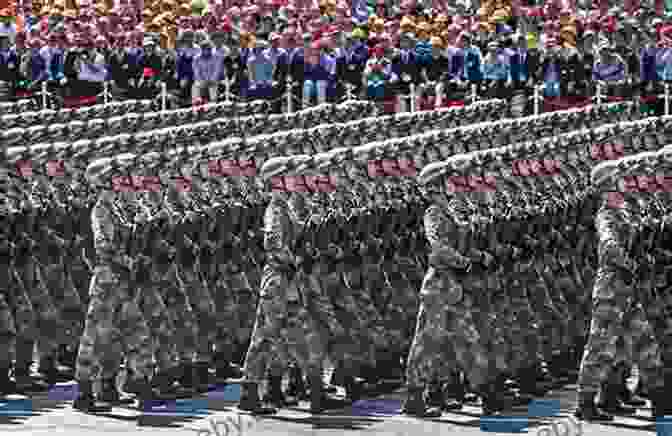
[{"x": 445, "y": 326}]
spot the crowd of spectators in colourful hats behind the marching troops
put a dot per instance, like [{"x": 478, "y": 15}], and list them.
[{"x": 333, "y": 49}]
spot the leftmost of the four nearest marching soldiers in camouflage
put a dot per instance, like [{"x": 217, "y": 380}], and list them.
[{"x": 114, "y": 323}]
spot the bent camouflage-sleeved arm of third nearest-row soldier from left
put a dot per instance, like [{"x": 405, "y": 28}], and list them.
[{"x": 442, "y": 254}]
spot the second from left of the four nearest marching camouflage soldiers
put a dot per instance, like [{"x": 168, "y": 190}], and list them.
[{"x": 289, "y": 311}]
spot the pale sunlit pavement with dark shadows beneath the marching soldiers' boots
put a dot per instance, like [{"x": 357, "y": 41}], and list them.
[{"x": 374, "y": 417}]
